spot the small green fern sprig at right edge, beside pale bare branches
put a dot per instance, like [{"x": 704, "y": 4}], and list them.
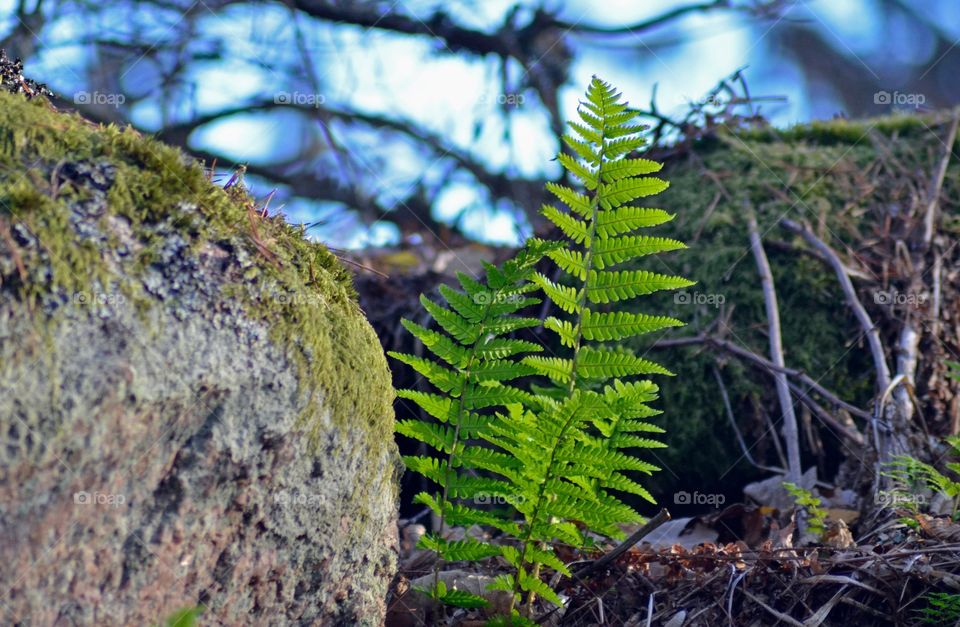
[{"x": 911, "y": 476}]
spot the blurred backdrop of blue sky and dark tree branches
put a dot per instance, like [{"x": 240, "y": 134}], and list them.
[{"x": 384, "y": 123}]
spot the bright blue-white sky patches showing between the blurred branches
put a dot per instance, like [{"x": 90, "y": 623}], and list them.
[{"x": 411, "y": 79}]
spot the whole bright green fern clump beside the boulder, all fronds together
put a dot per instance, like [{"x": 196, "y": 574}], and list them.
[{"x": 561, "y": 452}]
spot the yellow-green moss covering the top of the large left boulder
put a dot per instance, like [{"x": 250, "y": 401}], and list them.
[{"x": 295, "y": 286}]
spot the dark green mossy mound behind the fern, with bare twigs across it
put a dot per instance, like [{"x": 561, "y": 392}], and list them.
[{"x": 852, "y": 182}]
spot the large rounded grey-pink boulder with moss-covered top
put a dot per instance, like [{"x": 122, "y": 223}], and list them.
[{"x": 194, "y": 410}]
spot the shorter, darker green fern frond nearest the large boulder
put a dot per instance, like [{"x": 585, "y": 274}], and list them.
[{"x": 474, "y": 362}]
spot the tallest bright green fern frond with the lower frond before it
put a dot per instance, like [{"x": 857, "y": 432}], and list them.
[{"x": 571, "y": 443}]
